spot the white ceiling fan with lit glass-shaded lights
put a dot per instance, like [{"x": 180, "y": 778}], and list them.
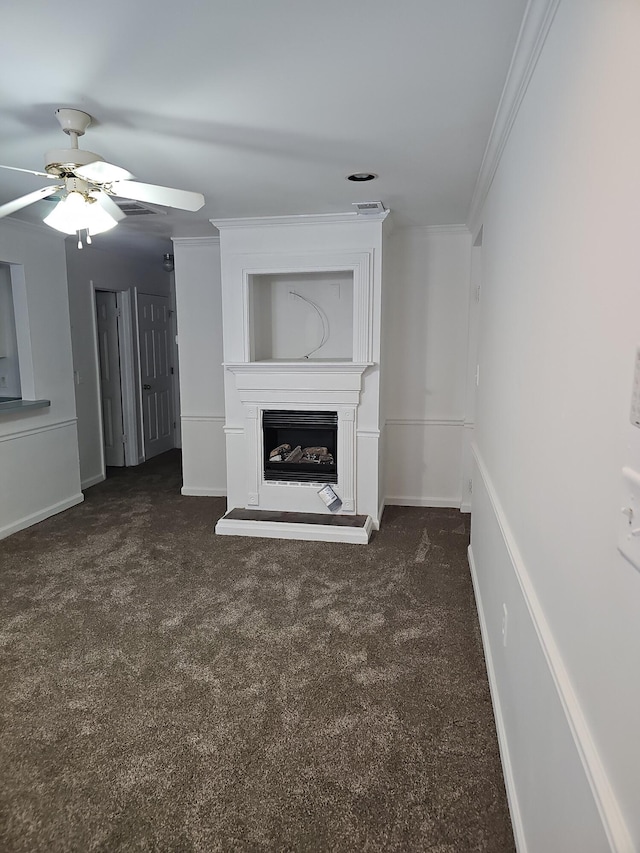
[{"x": 88, "y": 184}]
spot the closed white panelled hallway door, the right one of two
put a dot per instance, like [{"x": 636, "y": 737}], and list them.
[{"x": 156, "y": 379}]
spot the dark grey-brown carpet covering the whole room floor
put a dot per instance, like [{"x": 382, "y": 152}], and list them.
[{"x": 165, "y": 689}]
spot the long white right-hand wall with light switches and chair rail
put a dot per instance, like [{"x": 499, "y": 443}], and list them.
[{"x": 558, "y": 330}]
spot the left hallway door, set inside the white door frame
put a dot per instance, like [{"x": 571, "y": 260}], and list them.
[{"x": 110, "y": 377}]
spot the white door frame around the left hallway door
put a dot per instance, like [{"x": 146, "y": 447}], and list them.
[{"x": 127, "y": 374}]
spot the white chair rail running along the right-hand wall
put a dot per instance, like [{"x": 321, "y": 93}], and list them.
[{"x": 613, "y": 821}]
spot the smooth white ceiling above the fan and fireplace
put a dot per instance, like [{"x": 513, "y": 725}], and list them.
[{"x": 263, "y": 105}]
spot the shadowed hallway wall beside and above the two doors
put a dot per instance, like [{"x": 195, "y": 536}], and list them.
[{"x": 108, "y": 269}]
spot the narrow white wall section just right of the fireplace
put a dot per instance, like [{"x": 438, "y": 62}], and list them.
[{"x": 427, "y": 307}]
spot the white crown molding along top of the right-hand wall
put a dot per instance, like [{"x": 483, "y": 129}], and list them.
[{"x": 536, "y": 24}]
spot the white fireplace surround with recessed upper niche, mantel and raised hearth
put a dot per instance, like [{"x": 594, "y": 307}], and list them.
[{"x": 302, "y": 310}]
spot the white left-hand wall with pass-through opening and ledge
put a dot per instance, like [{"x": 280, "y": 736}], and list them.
[{"x": 39, "y": 471}]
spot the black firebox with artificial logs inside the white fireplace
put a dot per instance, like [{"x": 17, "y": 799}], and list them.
[{"x": 300, "y": 446}]
